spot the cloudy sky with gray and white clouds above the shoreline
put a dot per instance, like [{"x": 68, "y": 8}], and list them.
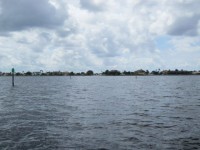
[{"x": 81, "y": 35}]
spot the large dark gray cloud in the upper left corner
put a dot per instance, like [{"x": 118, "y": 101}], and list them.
[{"x": 23, "y": 14}]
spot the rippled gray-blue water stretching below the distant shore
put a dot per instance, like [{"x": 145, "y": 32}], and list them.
[{"x": 151, "y": 112}]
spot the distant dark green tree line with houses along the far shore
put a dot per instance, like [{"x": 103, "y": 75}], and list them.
[{"x": 140, "y": 72}]
